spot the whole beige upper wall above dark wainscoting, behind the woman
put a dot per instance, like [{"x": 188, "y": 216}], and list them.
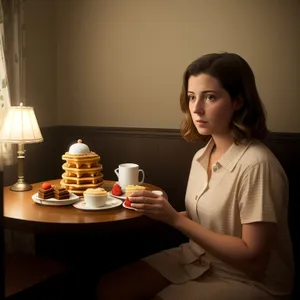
[{"x": 120, "y": 62}]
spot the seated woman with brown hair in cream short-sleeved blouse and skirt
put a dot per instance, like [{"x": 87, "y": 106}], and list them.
[{"x": 236, "y": 200}]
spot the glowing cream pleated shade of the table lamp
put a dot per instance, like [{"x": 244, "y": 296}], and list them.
[{"x": 20, "y": 126}]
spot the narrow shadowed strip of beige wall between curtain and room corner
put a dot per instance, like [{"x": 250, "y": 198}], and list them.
[{"x": 40, "y": 44}]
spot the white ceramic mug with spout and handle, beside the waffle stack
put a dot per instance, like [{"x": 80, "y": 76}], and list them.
[{"x": 128, "y": 174}]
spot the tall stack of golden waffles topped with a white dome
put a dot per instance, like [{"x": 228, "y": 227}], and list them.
[{"x": 82, "y": 169}]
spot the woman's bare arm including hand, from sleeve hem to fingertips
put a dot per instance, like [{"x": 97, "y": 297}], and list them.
[{"x": 249, "y": 254}]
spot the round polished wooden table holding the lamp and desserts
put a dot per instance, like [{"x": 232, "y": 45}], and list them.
[{"x": 23, "y": 214}]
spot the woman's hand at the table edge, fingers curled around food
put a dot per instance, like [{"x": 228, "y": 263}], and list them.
[{"x": 154, "y": 206}]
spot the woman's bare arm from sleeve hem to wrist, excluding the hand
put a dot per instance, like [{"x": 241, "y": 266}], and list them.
[{"x": 249, "y": 254}]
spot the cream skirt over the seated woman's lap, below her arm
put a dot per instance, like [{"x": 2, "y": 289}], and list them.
[{"x": 196, "y": 280}]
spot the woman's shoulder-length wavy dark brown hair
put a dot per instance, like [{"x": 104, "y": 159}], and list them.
[{"x": 237, "y": 78}]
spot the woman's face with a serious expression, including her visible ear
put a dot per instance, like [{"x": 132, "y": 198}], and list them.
[{"x": 210, "y": 105}]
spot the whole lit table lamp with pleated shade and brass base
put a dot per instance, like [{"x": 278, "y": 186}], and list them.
[{"x": 20, "y": 127}]
